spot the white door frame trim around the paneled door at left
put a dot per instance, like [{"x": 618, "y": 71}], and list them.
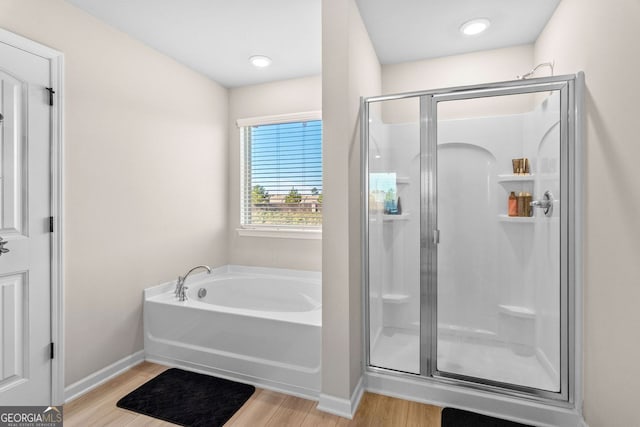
[{"x": 56, "y": 64}]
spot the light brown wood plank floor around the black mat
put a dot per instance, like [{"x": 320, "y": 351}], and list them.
[{"x": 264, "y": 408}]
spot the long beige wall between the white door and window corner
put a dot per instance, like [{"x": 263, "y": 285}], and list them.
[{"x": 145, "y": 170}]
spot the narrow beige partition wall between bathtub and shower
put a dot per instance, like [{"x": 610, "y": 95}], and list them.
[{"x": 350, "y": 69}]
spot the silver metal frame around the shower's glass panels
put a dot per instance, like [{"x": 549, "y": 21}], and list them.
[{"x": 571, "y": 95}]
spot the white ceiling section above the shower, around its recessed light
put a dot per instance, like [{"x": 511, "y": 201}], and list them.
[{"x": 407, "y": 30}]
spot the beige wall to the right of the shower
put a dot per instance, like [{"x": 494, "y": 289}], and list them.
[{"x": 600, "y": 38}]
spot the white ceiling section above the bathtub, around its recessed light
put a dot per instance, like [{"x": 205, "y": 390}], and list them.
[{"x": 217, "y": 37}]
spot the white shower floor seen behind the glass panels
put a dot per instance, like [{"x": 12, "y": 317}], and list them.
[{"x": 399, "y": 349}]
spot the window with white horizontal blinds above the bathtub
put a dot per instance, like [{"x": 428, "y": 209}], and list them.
[{"x": 281, "y": 173}]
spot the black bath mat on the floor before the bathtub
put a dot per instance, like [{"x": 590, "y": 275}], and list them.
[{"x": 187, "y": 398}]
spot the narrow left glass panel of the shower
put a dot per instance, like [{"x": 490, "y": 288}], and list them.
[{"x": 393, "y": 221}]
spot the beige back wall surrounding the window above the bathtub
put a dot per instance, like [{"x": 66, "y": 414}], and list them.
[{"x": 283, "y": 97}]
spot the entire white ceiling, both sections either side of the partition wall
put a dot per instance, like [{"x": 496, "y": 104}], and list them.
[{"x": 216, "y": 37}]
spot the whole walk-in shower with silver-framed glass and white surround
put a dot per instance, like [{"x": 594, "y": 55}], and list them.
[{"x": 470, "y": 237}]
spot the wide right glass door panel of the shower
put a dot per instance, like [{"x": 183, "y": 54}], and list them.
[{"x": 498, "y": 257}]
